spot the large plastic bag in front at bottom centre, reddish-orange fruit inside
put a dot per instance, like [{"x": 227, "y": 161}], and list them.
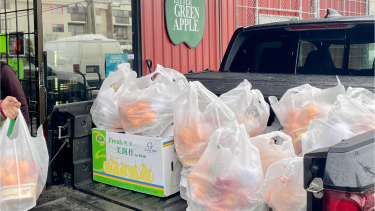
[{"x": 228, "y": 175}]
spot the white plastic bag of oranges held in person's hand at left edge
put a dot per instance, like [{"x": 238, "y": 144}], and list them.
[{"x": 23, "y": 166}]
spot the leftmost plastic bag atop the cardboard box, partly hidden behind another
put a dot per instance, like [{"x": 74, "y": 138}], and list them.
[{"x": 104, "y": 110}]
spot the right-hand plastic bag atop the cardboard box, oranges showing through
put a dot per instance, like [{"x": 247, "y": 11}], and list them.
[{"x": 147, "y": 108}]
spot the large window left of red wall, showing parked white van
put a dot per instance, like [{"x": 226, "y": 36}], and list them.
[{"x": 78, "y": 36}]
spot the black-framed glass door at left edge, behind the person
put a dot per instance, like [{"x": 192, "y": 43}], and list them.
[{"x": 21, "y": 44}]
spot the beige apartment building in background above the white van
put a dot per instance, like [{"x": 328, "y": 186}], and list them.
[{"x": 65, "y": 18}]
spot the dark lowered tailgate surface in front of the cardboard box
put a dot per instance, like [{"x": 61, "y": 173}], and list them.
[{"x": 101, "y": 197}]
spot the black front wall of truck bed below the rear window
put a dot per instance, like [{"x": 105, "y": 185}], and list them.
[{"x": 275, "y": 84}]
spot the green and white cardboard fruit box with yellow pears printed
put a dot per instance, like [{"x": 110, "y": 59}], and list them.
[{"x": 144, "y": 164}]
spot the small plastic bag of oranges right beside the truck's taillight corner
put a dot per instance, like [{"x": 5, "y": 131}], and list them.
[{"x": 282, "y": 188}]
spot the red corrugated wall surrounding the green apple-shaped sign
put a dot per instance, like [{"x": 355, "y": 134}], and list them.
[{"x": 157, "y": 46}]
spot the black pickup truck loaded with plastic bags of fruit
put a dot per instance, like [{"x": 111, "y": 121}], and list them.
[{"x": 274, "y": 58}]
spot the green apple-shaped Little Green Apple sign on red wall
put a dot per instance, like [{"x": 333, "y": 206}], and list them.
[{"x": 185, "y": 20}]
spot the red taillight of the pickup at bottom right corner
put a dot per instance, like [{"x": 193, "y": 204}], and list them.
[{"x": 348, "y": 201}]
